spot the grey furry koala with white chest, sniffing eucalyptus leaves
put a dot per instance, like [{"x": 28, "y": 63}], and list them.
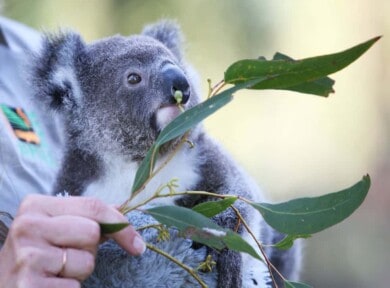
[{"x": 115, "y": 96}]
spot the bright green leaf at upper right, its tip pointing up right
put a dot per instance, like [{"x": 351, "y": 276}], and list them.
[{"x": 284, "y": 74}]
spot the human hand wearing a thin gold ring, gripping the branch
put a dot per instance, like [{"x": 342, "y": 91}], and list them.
[{"x": 52, "y": 241}]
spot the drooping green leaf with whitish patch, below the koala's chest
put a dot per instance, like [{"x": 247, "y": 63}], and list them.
[{"x": 200, "y": 229}]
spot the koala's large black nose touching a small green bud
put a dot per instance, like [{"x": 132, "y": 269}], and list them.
[{"x": 174, "y": 79}]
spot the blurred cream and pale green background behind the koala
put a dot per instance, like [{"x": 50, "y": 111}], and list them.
[{"x": 293, "y": 144}]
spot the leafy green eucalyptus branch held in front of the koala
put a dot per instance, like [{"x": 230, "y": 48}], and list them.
[{"x": 255, "y": 74}]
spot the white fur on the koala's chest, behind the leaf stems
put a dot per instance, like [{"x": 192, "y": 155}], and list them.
[{"x": 114, "y": 186}]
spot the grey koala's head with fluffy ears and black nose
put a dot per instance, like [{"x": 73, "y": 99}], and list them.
[{"x": 115, "y": 94}]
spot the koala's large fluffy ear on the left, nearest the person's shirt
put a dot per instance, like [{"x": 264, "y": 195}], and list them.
[{"x": 54, "y": 70}]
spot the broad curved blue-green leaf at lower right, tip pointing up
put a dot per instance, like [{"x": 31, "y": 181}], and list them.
[{"x": 310, "y": 215}]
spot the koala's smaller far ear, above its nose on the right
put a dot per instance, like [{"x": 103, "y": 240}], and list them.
[{"x": 167, "y": 32}]
